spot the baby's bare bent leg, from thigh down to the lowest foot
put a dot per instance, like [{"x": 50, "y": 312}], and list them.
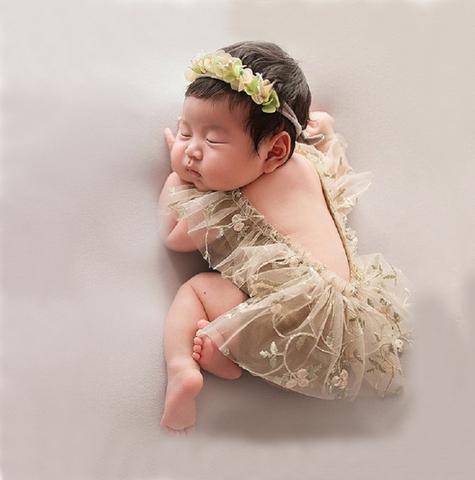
[{"x": 205, "y": 296}]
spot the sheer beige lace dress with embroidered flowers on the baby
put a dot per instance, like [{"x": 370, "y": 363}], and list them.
[{"x": 303, "y": 327}]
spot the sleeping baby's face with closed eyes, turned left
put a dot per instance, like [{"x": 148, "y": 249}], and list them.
[{"x": 212, "y": 149}]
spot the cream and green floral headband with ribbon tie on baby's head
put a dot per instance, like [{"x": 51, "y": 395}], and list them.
[{"x": 223, "y": 66}]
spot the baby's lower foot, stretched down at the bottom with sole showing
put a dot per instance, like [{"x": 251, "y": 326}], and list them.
[{"x": 179, "y": 416}]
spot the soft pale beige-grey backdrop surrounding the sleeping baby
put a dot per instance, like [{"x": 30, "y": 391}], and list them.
[{"x": 87, "y": 89}]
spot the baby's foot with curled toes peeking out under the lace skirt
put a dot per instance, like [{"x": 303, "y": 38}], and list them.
[{"x": 210, "y": 358}]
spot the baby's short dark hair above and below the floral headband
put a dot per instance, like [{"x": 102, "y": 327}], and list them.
[{"x": 275, "y": 65}]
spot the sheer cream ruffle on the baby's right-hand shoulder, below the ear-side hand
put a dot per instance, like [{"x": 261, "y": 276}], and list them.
[{"x": 343, "y": 185}]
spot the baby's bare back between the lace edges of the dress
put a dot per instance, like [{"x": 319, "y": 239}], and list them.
[{"x": 291, "y": 199}]
